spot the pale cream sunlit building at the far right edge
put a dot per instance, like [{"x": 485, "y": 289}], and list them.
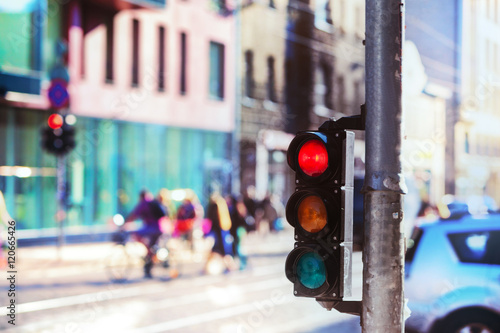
[{"x": 478, "y": 138}]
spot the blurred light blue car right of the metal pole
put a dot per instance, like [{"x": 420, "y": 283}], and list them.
[{"x": 452, "y": 276}]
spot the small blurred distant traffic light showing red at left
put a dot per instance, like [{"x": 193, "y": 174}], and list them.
[{"x": 58, "y": 137}]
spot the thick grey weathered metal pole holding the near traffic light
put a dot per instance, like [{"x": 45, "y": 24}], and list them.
[{"x": 383, "y": 255}]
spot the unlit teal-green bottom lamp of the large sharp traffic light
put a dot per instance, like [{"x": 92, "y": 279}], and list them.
[{"x": 311, "y": 270}]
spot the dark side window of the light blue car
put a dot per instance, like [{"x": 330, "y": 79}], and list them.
[{"x": 481, "y": 247}]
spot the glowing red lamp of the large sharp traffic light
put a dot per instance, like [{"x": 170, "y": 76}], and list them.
[{"x": 313, "y": 158}]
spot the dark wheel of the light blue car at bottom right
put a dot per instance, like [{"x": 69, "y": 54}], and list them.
[{"x": 472, "y": 322}]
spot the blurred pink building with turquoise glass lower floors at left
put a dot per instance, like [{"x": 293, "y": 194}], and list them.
[{"x": 151, "y": 85}]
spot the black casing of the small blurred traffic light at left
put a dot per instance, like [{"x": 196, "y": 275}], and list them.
[{"x": 58, "y": 141}]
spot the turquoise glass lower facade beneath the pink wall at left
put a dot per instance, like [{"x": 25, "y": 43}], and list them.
[{"x": 112, "y": 162}]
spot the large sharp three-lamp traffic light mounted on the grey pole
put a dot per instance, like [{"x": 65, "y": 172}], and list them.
[{"x": 320, "y": 210}]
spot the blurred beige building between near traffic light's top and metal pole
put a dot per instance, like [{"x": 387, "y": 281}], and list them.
[{"x": 338, "y": 60}]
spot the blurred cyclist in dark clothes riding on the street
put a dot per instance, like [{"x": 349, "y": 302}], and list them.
[{"x": 150, "y": 212}]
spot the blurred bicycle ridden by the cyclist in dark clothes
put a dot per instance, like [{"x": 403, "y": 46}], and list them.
[{"x": 127, "y": 257}]
